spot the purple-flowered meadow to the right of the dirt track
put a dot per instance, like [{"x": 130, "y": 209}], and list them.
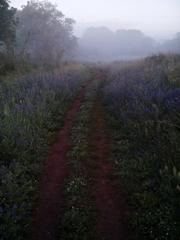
[{"x": 142, "y": 99}]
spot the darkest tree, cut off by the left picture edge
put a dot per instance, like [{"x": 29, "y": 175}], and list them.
[{"x": 7, "y": 24}]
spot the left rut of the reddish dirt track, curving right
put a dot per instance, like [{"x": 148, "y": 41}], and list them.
[{"x": 55, "y": 173}]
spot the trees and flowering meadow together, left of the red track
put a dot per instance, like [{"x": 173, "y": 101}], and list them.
[{"x": 38, "y": 83}]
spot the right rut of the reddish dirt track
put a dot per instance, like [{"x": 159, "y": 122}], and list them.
[{"x": 110, "y": 201}]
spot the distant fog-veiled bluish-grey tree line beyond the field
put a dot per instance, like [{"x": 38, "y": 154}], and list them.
[{"x": 102, "y": 44}]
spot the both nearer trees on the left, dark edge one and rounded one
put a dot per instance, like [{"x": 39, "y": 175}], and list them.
[{"x": 38, "y": 33}]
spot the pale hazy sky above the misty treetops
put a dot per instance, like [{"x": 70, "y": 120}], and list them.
[{"x": 159, "y": 18}]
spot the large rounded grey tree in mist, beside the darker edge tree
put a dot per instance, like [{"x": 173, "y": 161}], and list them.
[{"x": 44, "y": 34}]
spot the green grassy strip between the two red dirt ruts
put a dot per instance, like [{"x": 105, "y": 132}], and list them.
[{"x": 79, "y": 213}]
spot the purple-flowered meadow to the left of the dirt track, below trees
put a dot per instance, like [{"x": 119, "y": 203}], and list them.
[{"x": 31, "y": 110}]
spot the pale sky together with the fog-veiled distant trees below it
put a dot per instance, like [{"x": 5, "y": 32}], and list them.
[{"x": 119, "y": 29}]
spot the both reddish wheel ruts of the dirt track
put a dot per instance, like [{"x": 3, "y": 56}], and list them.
[{"x": 109, "y": 200}]
